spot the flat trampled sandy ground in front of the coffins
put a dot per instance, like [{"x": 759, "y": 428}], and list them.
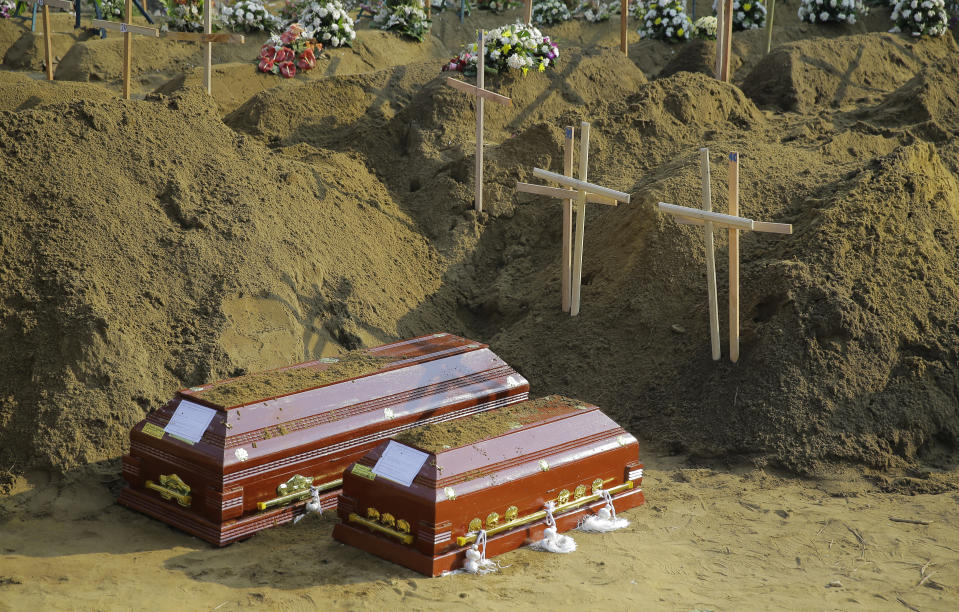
[{"x": 708, "y": 540}]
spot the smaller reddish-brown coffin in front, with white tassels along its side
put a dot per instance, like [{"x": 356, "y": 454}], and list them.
[{"x": 499, "y": 471}]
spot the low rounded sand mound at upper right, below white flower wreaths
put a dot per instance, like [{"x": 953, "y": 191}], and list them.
[{"x": 840, "y": 73}]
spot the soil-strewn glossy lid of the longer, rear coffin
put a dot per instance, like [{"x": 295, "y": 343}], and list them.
[{"x": 413, "y": 373}]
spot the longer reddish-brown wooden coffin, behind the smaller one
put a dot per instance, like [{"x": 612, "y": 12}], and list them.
[{"x": 272, "y": 435}]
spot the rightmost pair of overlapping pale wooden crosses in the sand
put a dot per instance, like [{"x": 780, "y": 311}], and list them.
[{"x": 733, "y": 222}]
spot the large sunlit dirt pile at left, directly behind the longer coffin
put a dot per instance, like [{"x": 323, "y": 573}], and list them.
[{"x": 136, "y": 260}]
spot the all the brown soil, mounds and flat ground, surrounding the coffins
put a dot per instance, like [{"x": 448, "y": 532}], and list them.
[{"x": 174, "y": 239}]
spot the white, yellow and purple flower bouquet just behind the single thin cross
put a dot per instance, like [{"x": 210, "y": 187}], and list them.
[{"x": 516, "y": 47}]
